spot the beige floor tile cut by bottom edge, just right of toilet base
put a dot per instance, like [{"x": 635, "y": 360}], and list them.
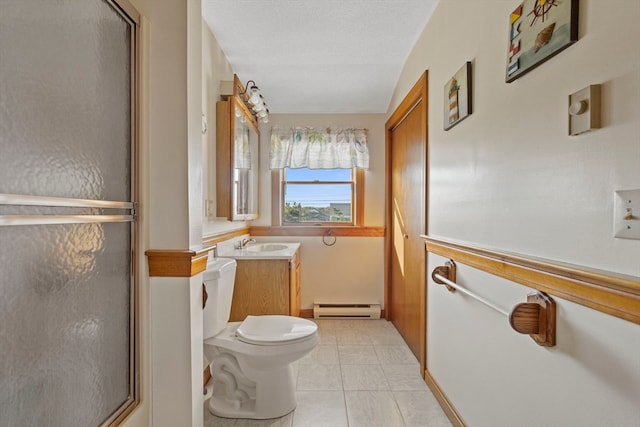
[{"x": 320, "y": 409}]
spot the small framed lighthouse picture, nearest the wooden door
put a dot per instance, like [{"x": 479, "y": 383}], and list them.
[{"x": 457, "y": 97}]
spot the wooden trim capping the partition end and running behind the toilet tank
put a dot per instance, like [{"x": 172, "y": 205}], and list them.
[{"x": 186, "y": 262}]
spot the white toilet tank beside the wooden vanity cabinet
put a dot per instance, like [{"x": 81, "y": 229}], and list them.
[{"x": 219, "y": 278}]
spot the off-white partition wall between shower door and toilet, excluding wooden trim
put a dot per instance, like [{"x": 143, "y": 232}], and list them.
[{"x": 170, "y": 213}]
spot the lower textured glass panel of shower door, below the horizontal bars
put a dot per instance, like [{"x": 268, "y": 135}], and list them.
[{"x": 64, "y": 323}]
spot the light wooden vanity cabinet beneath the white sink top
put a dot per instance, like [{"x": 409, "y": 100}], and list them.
[{"x": 266, "y": 286}]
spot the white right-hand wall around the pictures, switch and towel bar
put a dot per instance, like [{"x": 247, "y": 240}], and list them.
[{"x": 509, "y": 177}]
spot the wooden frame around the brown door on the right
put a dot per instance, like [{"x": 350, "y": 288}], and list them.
[{"x": 417, "y": 94}]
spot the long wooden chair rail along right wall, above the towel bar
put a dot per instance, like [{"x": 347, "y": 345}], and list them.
[{"x": 608, "y": 292}]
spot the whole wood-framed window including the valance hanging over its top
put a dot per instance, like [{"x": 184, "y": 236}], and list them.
[{"x": 318, "y": 176}]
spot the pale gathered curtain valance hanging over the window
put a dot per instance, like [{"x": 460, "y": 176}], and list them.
[{"x": 318, "y": 148}]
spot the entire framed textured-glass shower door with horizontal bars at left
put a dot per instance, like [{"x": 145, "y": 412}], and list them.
[{"x": 67, "y": 212}]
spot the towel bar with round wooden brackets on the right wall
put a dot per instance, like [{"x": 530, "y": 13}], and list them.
[{"x": 536, "y": 317}]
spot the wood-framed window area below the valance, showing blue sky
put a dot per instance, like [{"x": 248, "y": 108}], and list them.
[{"x": 321, "y": 196}]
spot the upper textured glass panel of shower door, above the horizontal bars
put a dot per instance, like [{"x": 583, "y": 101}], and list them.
[{"x": 64, "y": 99}]
